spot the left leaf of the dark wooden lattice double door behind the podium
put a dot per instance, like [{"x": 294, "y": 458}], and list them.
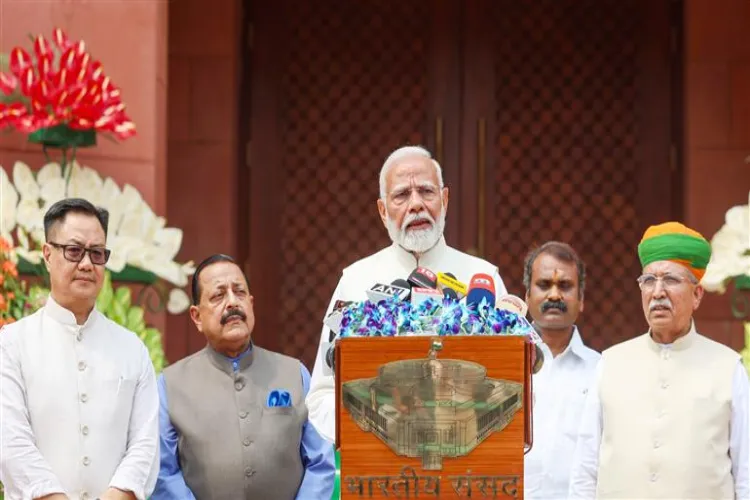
[{"x": 336, "y": 85}]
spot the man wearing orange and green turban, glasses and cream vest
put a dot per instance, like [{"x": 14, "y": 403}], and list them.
[{"x": 668, "y": 415}]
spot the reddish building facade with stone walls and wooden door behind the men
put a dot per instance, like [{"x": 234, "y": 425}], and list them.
[{"x": 263, "y": 125}]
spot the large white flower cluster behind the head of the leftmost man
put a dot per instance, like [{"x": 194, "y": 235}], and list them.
[{"x": 136, "y": 235}]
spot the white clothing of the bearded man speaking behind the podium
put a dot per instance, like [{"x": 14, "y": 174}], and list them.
[{"x": 387, "y": 265}]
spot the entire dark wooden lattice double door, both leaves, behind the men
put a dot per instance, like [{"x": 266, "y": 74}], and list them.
[{"x": 552, "y": 119}]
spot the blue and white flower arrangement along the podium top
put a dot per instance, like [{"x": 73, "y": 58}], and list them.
[{"x": 392, "y": 317}]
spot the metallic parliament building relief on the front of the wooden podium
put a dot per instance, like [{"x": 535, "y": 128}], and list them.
[{"x": 431, "y": 408}]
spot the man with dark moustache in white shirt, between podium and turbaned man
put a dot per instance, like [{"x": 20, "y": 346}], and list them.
[{"x": 555, "y": 280}]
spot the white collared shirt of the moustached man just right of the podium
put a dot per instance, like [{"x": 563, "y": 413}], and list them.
[{"x": 560, "y": 390}]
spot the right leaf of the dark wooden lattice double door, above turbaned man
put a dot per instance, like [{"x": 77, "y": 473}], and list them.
[{"x": 567, "y": 132}]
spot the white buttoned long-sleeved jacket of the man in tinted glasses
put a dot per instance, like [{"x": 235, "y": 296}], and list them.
[{"x": 79, "y": 407}]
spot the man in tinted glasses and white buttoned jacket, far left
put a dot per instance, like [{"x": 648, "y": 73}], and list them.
[{"x": 78, "y": 397}]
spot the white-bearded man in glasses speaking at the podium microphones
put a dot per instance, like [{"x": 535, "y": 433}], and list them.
[{"x": 412, "y": 205}]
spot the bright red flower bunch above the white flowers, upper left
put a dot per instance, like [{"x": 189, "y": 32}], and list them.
[{"x": 60, "y": 95}]
